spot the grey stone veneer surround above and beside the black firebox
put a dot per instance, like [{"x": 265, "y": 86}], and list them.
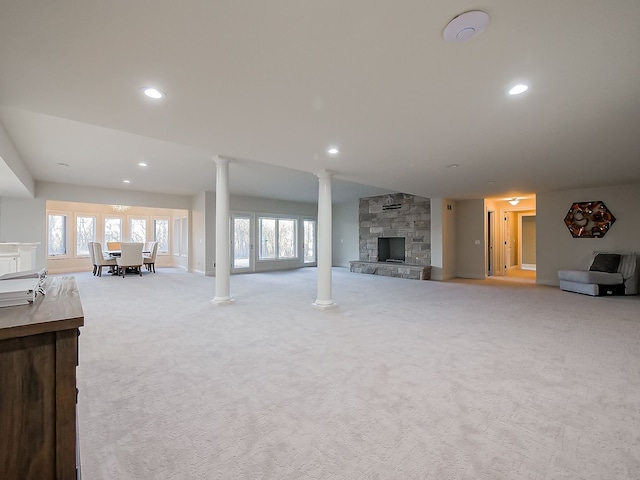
[{"x": 411, "y": 221}]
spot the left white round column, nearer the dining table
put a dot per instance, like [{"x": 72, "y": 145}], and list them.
[{"x": 223, "y": 237}]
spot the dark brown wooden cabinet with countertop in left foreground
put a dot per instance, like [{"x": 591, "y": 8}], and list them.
[{"x": 38, "y": 359}]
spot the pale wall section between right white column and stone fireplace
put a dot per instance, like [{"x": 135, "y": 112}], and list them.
[{"x": 345, "y": 231}]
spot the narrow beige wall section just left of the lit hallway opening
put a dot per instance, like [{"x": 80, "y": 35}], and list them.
[{"x": 470, "y": 238}]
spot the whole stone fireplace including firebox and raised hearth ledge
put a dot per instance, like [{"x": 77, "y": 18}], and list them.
[{"x": 395, "y": 236}]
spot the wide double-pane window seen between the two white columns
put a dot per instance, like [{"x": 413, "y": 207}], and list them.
[{"x": 278, "y": 239}]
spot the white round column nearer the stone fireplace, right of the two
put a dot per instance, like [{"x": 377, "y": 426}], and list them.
[{"x": 324, "y": 242}]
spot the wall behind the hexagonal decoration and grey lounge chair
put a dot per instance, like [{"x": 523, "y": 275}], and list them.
[{"x": 558, "y": 250}]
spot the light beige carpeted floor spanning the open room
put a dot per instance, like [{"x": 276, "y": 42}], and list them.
[{"x": 404, "y": 380}]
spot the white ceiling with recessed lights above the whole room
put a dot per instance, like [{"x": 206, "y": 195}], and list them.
[{"x": 274, "y": 84}]
